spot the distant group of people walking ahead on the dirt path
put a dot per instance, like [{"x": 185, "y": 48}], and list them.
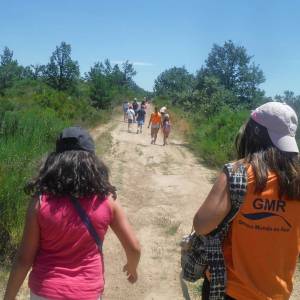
[{"x": 135, "y": 113}]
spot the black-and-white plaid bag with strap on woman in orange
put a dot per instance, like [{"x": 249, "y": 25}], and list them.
[{"x": 201, "y": 253}]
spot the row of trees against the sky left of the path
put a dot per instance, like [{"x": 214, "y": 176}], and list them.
[{"x": 102, "y": 82}]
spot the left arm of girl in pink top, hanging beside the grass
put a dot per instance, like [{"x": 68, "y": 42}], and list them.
[{"x": 26, "y": 253}]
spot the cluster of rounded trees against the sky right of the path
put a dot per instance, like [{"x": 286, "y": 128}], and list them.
[{"x": 229, "y": 77}]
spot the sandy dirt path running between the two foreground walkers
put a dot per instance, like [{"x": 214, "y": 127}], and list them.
[{"x": 160, "y": 188}]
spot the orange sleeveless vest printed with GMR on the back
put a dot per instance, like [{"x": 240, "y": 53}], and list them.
[{"x": 262, "y": 247}]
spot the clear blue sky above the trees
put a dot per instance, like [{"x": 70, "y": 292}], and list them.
[{"x": 157, "y": 34}]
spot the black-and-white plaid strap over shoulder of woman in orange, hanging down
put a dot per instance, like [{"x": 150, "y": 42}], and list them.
[{"x": 237, "y": 184}]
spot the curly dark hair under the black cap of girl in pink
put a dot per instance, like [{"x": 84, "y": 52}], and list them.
[{"x": 77, "y": 173}]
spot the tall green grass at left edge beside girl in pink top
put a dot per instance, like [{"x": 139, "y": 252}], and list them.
[{"x": 25, "y": 136}]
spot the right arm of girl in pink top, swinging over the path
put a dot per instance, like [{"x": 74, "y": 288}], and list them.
[{"x": 128, "y": 239}]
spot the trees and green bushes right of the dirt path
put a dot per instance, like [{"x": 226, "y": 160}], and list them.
[{"x": 217, "y": 100}]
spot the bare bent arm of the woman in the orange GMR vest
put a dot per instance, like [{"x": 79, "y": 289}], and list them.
[{"x": 215, "y": 207}]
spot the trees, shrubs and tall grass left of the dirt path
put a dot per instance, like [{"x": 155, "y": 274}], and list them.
[{"x": 36, "y": 103}]
